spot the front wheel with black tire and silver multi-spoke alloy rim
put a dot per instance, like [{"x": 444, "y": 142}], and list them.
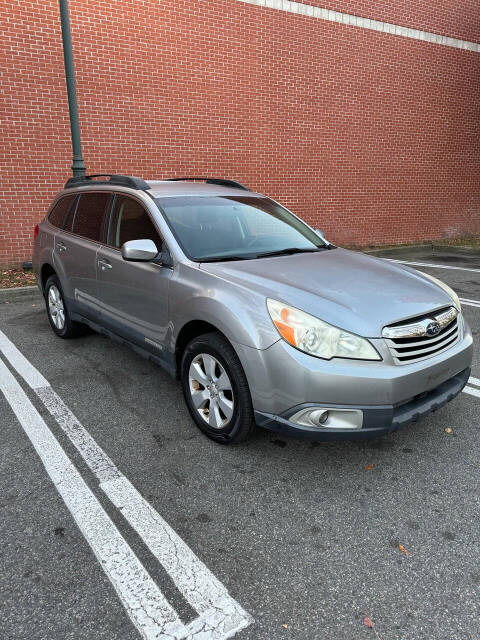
[{"x": 223, "y": 411}]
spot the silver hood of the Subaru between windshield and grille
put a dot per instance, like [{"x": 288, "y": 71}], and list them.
[{"x": 350, "y": 290}]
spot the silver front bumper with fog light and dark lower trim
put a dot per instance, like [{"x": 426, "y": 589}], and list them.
[{"x": 302, "y": 396}]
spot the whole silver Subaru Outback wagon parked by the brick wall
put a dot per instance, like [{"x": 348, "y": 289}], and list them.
[{"x": 262, "y": 319}]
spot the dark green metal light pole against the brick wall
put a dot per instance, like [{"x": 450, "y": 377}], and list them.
[{"x": 78, "y": 165}]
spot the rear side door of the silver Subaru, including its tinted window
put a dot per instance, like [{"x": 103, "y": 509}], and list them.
[{"x": 76, "y": 249}]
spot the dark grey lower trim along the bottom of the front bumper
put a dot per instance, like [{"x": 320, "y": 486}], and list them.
[{"x": 377, "y": 420}]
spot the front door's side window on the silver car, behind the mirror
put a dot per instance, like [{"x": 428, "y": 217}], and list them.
[{"x": 130, "y": 221}]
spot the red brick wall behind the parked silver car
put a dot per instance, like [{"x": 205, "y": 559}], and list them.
[{"x": 373, "y": 137}]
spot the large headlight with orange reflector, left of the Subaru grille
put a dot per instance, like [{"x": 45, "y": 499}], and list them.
[{"x": 318, "y": 338}]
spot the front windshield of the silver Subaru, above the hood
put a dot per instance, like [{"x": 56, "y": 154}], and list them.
[{"x": 235, "y": 228}]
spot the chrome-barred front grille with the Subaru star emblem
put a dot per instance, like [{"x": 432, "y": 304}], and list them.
[{"x": 415, "y": 347}]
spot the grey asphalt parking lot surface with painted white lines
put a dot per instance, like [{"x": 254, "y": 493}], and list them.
[{"x": 154, "y": 524}]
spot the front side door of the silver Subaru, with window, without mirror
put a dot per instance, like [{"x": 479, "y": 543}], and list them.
[{"x": 133, "y": 295}]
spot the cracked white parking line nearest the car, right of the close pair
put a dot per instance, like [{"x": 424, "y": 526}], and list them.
[{"x": 220, "y": 616}]
